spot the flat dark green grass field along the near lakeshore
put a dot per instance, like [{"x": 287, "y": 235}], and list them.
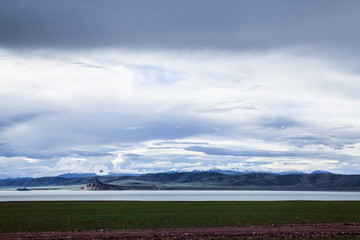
[{"x": 68, "y": 216}]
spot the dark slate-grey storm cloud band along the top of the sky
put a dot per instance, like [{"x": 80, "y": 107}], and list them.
[{"x": 230, "y": 24}]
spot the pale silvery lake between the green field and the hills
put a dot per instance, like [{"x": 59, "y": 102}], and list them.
[{"x": 176, "y": 195}]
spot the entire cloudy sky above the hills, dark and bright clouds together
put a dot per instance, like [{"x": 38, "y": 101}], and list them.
[{"x": 143, "y": 86}]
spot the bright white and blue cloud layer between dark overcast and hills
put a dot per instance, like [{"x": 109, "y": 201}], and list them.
[{"x": 143, "y": 111}]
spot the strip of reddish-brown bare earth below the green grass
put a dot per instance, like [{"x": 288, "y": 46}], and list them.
[{"x": 297, "y": 231}]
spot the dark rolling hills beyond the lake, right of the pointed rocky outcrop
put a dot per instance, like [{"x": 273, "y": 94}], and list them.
[{"x": 250, "y": 181}]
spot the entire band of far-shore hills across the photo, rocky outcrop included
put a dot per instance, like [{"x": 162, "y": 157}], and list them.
[{"x": 199, "y": 180}]
